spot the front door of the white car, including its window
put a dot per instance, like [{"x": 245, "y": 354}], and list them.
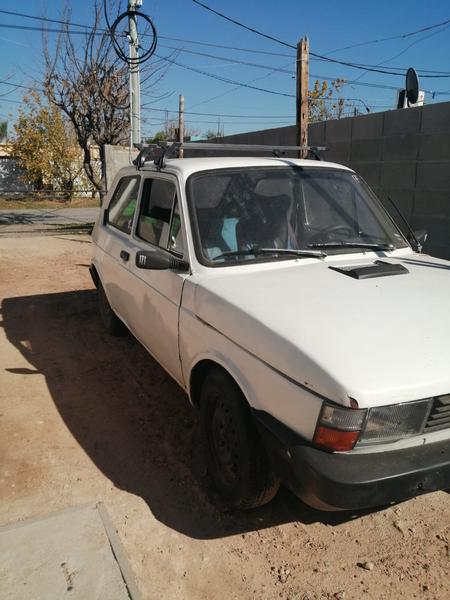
[{"x": 159, "y": 227}]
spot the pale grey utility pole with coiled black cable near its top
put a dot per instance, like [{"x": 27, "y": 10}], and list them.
[{"x": 134, "y": 76}]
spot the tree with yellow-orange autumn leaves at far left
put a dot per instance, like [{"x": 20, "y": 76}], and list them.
[{"x": 45, "y": 146}]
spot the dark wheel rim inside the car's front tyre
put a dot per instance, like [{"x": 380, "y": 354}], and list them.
[{"x": 223, "y": 442}]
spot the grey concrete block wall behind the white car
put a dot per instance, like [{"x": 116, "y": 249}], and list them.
[{"x": 403, "y": 154}]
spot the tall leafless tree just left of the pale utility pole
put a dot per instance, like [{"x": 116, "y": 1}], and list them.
[{"x": 89, "y": 85}]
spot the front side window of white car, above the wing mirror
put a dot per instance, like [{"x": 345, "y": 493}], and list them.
[{"x": 156, "y": 210}]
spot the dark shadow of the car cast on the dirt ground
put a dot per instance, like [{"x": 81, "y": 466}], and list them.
[{"x": 130, "y": 417}]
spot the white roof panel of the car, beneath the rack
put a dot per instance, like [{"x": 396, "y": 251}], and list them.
[{"x": 187, "y": 166}]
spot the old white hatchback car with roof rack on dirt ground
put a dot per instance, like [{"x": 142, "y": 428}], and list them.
[{"x": 284, "y": 300}]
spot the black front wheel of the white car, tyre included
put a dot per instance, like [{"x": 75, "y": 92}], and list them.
[{"x": 237, "y": 461}]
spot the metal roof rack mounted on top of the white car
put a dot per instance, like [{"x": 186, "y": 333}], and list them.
[{"x": 161, "y": 151}]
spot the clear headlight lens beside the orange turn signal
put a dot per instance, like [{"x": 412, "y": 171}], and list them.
[{"x": 394, "y": 422}]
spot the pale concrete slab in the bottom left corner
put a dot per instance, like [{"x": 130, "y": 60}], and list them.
[{"x": 71, "y": 554}]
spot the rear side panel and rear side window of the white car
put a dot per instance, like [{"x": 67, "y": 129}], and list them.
[{"x": 117, "y": 246}]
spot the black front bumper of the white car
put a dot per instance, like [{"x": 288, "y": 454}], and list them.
[{"x": 349, "y": 481}]
